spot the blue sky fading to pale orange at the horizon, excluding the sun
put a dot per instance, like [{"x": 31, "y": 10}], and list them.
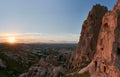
[{"x": 45, "y": 20}]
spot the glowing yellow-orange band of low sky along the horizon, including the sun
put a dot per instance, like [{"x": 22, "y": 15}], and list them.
[{"x": 36, "y": 38}]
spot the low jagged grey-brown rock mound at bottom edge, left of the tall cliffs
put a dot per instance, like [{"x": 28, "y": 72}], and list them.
[{"x": 45, "y": 69}]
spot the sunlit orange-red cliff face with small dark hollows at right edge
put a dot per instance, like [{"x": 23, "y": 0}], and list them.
[{"x": 106, "y": 60}]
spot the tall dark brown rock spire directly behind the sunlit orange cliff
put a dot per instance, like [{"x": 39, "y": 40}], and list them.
[{"x": 89, "y": 36}]
